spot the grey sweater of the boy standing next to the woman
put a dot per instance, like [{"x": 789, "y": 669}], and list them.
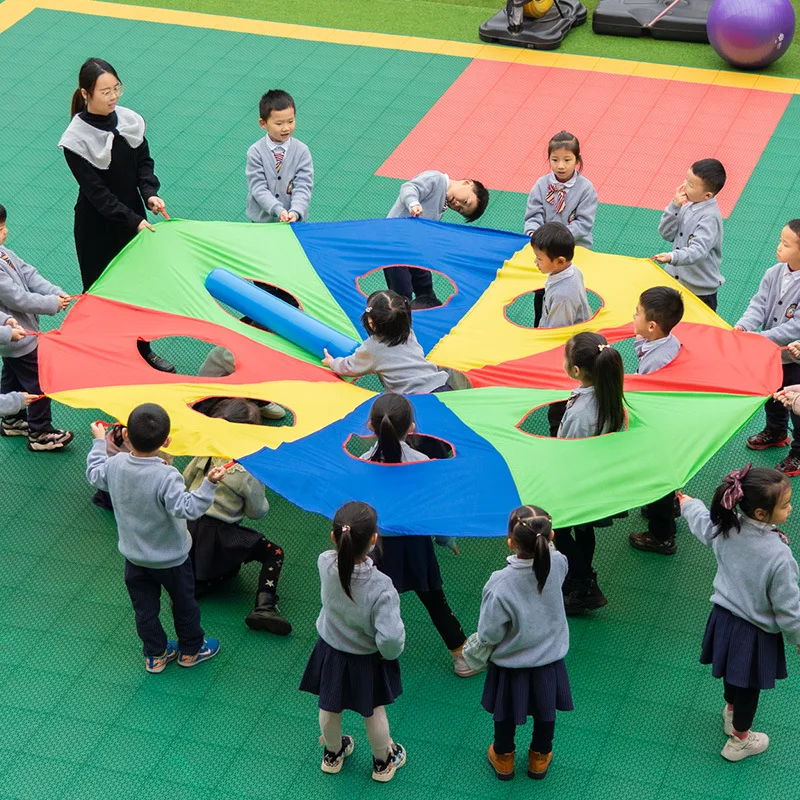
[{"x": 270, "y": 192}]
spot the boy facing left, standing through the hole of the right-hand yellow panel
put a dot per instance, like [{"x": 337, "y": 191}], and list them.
[{"x": 565, "y": 300}]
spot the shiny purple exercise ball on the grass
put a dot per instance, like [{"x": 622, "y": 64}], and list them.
[{"x": 750, "y": 34}]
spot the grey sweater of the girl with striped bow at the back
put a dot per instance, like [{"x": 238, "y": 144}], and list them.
[{"x": 580, "y": 207}]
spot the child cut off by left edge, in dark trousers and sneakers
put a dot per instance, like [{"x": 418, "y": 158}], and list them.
[{"x": 24, "y": 294}]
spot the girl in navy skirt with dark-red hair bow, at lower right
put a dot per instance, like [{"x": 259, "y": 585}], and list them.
[{"x": 756, "y": 598}]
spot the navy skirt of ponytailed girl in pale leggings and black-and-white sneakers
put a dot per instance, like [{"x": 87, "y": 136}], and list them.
[{"x": 347, "y": 681}]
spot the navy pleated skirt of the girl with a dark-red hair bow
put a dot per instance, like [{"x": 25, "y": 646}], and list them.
[{"x": 742, "y": 653}]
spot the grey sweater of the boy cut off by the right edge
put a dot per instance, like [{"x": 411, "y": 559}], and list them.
[{"x": 774, "y": 310}]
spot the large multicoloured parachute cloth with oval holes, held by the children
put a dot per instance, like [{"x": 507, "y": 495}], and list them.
[{"x": 678, "y": 417}]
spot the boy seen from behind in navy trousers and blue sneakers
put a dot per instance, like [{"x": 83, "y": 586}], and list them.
[{"x": 151, "y": 506}]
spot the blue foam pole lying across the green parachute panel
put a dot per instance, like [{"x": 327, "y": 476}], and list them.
[{"x": 294, "y": 325}]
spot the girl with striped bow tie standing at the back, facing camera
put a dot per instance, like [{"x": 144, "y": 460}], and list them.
[{"x": 563, "y": 195}]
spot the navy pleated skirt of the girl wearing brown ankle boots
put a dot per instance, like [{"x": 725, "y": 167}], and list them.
[{"x": 516, "y": 694}]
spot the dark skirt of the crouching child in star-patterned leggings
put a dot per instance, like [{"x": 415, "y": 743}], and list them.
[{"x": 219, "y": 548}]
